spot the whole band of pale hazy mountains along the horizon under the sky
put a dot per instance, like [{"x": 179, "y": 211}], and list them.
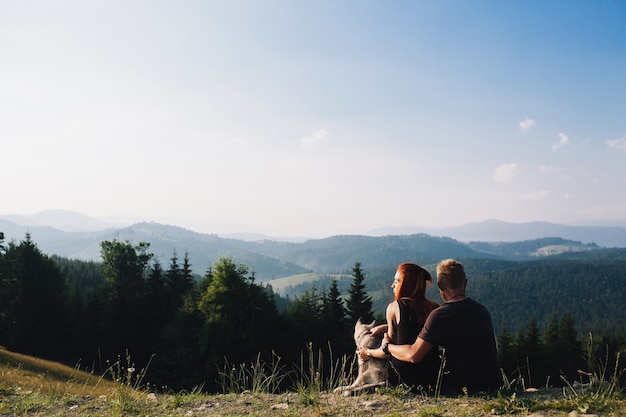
[{"x": 76, "y": 236}]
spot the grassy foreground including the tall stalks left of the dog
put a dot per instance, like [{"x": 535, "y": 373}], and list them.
[{"x": 37, "y": 388}]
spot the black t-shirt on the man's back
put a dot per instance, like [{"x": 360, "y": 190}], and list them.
[{"x": 465, "y": 331}]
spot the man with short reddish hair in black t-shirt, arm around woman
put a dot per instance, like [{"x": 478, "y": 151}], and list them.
[{"x": 463, "y": 328}]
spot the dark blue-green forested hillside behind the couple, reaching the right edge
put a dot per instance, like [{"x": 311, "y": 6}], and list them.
[{"x": 592, "y": 286}]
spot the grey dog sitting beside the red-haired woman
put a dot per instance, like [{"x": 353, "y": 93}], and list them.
[{"x": 373, "y": 372}]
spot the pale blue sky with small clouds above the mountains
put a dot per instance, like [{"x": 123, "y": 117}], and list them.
[{"x": 314, "y": 117}]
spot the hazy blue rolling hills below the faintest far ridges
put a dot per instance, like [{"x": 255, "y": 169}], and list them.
[{"x": 271, "y": 259}]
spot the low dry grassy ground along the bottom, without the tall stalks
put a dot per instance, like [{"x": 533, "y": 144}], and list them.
[{"x": 36, "y": 388}]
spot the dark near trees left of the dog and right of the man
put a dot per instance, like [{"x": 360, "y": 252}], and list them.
[{"x": 187, "y": 327}]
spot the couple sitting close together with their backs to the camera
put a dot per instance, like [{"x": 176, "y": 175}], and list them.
[{"x": 416, "y": 328}]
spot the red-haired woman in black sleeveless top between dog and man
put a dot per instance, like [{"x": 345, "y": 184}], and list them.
[{"x": 406, "y": 316}]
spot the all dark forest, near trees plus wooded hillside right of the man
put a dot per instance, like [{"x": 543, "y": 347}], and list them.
[{"x": 184, "y": 328}]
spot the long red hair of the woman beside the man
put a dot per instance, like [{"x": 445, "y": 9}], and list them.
[{"x": 412, "y": 283}]
